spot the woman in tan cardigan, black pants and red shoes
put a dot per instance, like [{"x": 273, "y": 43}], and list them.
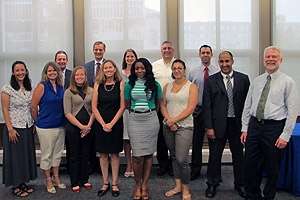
[{"x": 78, "y": 111}]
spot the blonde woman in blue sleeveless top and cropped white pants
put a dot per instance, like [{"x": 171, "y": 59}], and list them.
[{"x": 47, "y": 111}]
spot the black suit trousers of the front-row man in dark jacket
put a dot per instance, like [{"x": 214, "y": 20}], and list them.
[{"x": 216, "y": 148}]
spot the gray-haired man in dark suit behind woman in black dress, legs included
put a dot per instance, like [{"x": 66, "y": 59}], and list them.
[{"x": 92, "y": 68}]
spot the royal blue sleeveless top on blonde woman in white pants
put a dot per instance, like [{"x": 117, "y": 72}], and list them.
[{"x": 51, "y": 110}]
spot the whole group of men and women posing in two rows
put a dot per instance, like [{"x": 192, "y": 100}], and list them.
[{"x": 145, "y": 108}]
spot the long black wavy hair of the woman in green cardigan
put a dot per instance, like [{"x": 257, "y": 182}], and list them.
[{"x": 149, "y": 77}]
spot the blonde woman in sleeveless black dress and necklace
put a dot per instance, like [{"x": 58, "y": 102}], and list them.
[{"x": 108, "y": 107}]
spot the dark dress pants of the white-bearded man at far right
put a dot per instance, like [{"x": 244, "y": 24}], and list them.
[{"x": 260, "y": 153}]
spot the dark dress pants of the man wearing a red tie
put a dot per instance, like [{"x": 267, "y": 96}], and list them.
[{"x": 198, "y": 137}]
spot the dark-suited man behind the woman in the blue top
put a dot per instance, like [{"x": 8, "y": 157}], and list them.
[{"x": 61, "y": 58}]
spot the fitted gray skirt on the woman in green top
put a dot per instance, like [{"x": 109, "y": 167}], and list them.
[{"x": 143, "y": 131}]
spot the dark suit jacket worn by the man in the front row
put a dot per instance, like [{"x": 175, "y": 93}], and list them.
[{"x": 215, "y": 101}]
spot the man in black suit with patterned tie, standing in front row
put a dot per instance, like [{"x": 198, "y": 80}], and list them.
[{"x": 223, "y": 102}]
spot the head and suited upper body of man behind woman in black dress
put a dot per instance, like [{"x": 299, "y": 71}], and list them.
[{"x": 91, "y": 67}]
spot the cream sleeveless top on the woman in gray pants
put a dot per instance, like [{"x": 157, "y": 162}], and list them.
[{"x": 177, "y": 102}]
